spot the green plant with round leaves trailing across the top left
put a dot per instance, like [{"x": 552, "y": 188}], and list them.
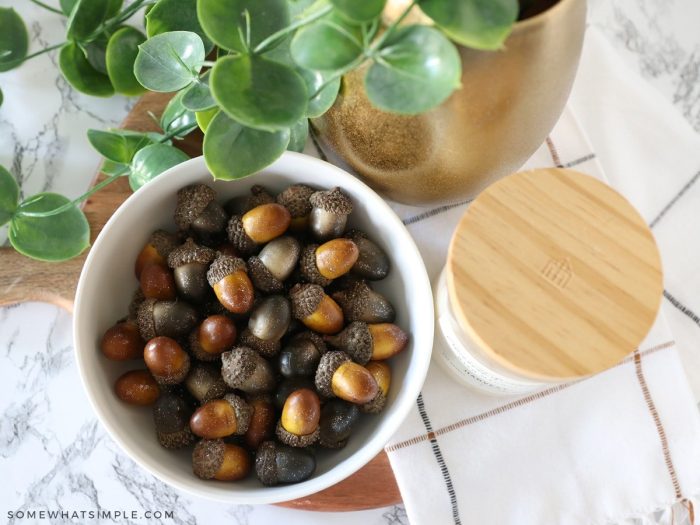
[{"x": 249, "y": 73}]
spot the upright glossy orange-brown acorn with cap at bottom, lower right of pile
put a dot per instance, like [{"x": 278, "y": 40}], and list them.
[{"x": 298, "y": 425}]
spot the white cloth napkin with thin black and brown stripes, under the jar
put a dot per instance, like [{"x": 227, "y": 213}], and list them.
[{"x": 623, "y": 446}]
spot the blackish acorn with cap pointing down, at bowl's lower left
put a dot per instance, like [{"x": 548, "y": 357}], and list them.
[{"x": 171, "y": 414}]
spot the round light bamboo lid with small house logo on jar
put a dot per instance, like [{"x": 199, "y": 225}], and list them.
[{"x": 554, "y": 275}]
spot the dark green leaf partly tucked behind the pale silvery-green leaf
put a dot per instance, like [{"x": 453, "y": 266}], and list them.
[{"x": 122, "y": 49}]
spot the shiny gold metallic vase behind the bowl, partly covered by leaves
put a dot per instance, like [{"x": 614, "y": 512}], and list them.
[{"x": 509, "y": 101}]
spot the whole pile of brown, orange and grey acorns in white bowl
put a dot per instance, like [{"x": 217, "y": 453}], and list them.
[{"x": 259, "y": 331}]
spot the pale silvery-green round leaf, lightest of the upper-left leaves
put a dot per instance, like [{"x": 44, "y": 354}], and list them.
[{"x": 169, "y": 61}]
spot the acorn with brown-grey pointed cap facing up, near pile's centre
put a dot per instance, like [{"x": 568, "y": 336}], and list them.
[{"x": 244, "y": 369}]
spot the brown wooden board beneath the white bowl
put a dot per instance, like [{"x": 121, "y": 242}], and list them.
[{"x": 23, "y": 279}]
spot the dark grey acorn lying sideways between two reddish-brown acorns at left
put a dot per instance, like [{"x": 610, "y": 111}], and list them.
[{"x": 169, "y": 318}]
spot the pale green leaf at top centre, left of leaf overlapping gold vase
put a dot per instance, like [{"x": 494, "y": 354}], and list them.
[{"x": 328, "y": 44}]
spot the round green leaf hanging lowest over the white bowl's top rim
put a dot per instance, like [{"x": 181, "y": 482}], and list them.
[{"x": 233, "y": 151}]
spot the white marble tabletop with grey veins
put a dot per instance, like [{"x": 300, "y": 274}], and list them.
[{"x": 53, "y": 453}]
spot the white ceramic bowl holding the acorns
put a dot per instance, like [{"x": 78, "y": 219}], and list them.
[{"x": 107, "y": 283}]
